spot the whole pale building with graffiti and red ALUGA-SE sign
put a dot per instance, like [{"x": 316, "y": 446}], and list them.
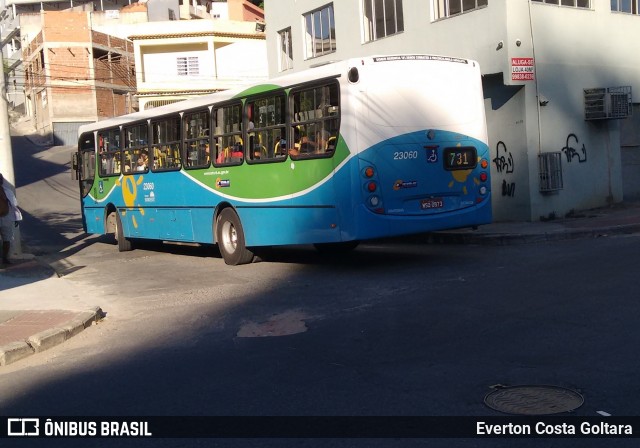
[{"x": 558, "y": 76}]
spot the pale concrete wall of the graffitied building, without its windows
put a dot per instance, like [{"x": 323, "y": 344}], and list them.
[{"x": 572, "y": 49}]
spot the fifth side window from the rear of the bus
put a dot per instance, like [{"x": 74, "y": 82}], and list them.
[{"x": 165, "y": 140}]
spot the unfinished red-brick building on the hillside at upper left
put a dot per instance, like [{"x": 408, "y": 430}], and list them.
[{"x": 76, "y": 75}]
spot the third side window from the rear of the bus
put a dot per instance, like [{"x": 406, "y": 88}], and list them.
[{"x": 228, "y": 135}]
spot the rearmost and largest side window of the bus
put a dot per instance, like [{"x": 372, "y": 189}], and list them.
[{"x": 316, "y": 120}]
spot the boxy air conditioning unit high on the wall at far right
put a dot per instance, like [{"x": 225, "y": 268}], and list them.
[{"x": 607, "y": 103}]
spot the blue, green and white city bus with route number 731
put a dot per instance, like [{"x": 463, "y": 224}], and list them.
[{"x": 349, "y": 151}]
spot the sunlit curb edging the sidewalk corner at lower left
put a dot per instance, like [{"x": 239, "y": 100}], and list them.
[{"x": 49, "y": 338}]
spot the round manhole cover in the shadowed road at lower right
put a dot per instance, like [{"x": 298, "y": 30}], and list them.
[{"x": 533, "y": 400}]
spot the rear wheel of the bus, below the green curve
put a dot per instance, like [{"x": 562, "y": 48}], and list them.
[{"x": 230, "y": 238}]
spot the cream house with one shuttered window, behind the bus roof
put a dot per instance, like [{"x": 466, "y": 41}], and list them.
[{"x": 176, "y": 60}]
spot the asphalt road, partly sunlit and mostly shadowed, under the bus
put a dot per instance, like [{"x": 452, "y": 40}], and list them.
[{"x": 391, "y": 329}]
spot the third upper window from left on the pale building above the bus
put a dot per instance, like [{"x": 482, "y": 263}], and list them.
[{"x": 382, "y": 18}]
